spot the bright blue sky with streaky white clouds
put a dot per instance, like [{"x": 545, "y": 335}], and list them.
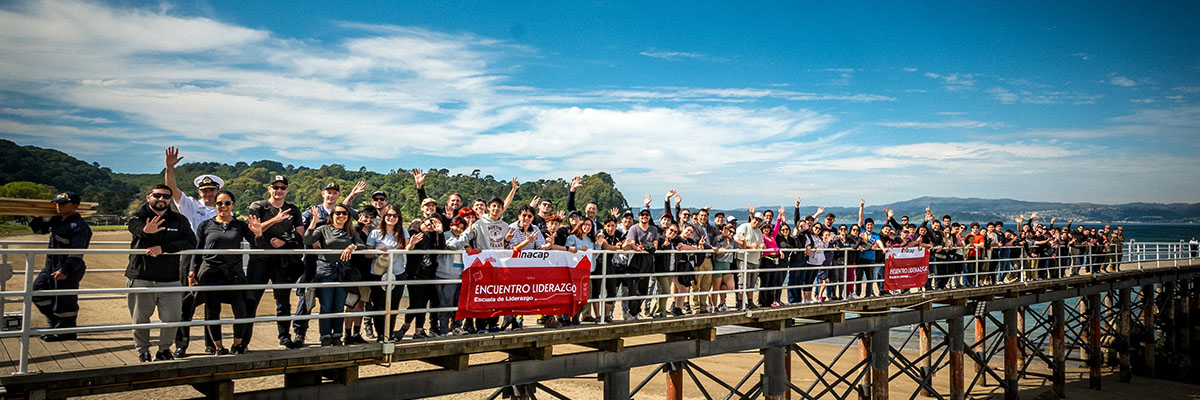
[{"x": 728, "y": 103}]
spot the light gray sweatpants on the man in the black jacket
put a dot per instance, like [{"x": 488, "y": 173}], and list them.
[{"x": 142, "y": 307}]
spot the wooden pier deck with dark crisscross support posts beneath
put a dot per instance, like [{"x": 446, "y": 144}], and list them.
[{"x": 1088, "y": 317}]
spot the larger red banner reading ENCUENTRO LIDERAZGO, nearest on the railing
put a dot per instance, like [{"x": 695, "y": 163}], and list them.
[{"x": 524, "y": 283}]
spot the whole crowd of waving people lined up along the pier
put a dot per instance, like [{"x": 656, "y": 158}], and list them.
[{"x": 763, "y": 262}]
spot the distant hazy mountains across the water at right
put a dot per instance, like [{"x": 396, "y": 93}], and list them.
[{"x": 1005, "y": 210}]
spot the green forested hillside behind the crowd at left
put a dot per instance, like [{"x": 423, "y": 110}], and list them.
[{"x": 119, "y": 194}]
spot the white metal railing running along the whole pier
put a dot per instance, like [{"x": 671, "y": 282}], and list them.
[{"x": 1019, "y": 268}]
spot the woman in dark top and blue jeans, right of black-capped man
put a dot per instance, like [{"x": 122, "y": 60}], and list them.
[{"x": 337, "y": 235}]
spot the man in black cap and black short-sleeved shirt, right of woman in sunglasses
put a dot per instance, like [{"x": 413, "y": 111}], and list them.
[{"x": 283, "y": 229}]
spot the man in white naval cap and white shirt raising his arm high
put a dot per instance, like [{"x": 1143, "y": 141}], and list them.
[{"x": 196, "y": 211}]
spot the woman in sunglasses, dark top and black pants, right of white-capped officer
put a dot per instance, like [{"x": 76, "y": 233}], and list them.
[{"x": 224, "y": 231}]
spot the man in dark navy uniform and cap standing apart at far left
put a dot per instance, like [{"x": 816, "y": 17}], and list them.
[{"x": 63, "y": 272}]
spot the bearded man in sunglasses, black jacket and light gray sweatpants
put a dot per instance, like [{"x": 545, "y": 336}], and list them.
[{"x": 160, "y": 231}]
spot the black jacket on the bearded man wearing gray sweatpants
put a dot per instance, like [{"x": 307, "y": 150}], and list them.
[{"x": 177, "y": 236}]
